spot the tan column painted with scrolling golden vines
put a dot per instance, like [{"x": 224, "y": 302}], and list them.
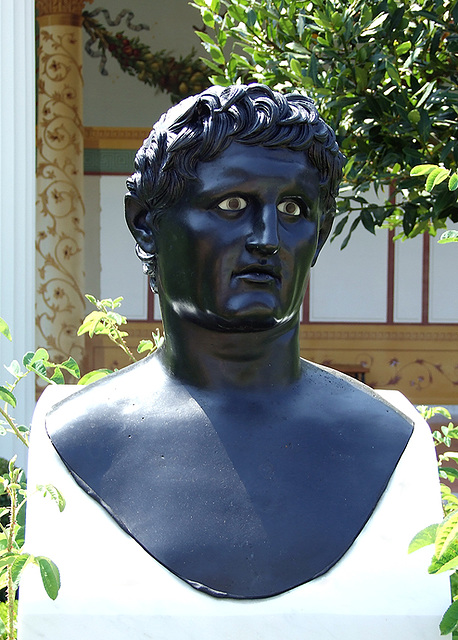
[{"x": 60, "y": 206}]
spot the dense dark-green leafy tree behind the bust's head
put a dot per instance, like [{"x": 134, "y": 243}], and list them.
[{"x": 384, "y": 75}]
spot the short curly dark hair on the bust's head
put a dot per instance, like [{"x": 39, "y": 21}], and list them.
[{"x": 200, "y": 127}]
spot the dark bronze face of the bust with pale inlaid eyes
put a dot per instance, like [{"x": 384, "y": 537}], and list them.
[{"x": 235, "y": 252}]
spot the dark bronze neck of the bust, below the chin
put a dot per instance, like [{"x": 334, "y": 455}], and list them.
[{"x": 233, "y": 360}]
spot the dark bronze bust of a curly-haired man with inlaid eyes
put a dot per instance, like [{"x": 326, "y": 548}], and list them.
[{"x": 224, "y": 453}]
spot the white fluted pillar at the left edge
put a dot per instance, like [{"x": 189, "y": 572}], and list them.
[{"x": 17, "y": 200}]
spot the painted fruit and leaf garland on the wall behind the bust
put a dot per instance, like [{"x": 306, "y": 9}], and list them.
[{"x": 180, "y": 77}]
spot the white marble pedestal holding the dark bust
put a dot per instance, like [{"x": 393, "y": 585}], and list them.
[{"x": 113, "y": 590}]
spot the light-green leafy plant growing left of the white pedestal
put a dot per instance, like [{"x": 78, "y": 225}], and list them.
[{"x": 13, "y": 560}]
